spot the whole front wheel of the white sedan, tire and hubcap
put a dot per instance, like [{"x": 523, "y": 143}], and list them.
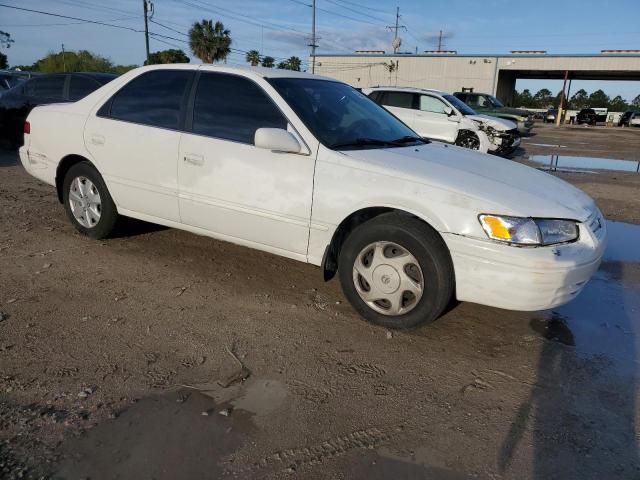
[{"x": 396, "y": 271}]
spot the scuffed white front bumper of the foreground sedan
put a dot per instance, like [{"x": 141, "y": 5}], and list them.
[{"x": 526, "y": 278}]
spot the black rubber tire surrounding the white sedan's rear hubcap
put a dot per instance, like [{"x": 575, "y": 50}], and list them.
[{"x": 108, "y": 211}]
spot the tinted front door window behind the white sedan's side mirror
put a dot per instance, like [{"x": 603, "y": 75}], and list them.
[{"x": 231, "y": 107}]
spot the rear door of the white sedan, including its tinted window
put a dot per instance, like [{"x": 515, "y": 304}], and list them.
[{"x": 134, "y": 138}]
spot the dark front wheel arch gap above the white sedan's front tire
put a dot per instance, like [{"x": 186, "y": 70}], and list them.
[{"x": 329, "y": 263}]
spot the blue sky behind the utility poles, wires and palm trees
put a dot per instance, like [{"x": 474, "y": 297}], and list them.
[{"x": 280, "y": 28}]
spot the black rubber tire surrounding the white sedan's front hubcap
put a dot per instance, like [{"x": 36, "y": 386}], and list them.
[{"x": 425, "y": 244}]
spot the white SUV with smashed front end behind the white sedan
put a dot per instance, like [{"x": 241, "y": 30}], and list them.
[{"x": 441, "y": 116}]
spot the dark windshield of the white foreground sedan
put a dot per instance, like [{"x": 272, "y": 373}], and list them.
[{"x": 340, "y": 117}]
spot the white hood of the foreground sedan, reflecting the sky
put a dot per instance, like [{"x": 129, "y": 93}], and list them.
[{"x": 485, "y": 183}]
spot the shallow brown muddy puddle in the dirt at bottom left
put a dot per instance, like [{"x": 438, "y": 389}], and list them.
[{"x": 176, "y": 435}]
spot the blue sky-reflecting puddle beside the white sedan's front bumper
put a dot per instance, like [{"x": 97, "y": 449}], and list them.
[{"x": 605, "y": 318}]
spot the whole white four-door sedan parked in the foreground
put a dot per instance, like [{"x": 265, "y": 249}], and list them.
[{"x": 406, "y": 224}]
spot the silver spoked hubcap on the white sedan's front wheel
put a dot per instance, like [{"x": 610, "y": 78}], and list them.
[{"x": 388, "y": 278}]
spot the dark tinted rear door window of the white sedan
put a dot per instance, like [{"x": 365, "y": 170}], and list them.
[{"x": 154, "y": 98}]
